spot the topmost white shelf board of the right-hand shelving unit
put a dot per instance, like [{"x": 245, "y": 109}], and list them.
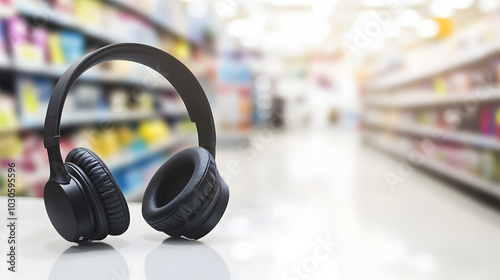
[{"x": 406, "y": 77}]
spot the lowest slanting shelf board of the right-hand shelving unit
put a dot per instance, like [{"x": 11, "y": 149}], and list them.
[{"x": 453, "y": 173}]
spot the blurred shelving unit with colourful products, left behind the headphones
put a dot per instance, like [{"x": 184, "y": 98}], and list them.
[{"x": 118, "y": 109}]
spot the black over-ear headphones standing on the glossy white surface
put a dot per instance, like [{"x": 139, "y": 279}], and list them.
[{"x": 186, "y": 197}]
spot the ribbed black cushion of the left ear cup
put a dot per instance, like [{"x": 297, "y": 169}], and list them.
[{"x": 112, "y": 197}]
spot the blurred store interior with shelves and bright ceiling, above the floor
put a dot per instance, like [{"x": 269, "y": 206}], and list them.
[{"x": 415, "y": 78}]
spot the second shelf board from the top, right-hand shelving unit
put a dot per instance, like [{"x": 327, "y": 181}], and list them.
[{"x": 430, "y": 100}]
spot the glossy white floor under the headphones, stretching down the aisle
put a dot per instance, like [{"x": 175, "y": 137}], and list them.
[{"x": 304, "y": 205}]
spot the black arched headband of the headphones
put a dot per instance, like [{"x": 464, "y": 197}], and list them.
[{"x": 169, "y": 67}]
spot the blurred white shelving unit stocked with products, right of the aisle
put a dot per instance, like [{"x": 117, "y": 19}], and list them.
[{"x": 443, "y": 94}]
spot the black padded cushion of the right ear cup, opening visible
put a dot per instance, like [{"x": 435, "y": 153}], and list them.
[{"x": 180, "y": 190}]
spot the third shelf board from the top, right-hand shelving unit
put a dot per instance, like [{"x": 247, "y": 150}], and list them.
[{"x": 467, "y": 138}]
